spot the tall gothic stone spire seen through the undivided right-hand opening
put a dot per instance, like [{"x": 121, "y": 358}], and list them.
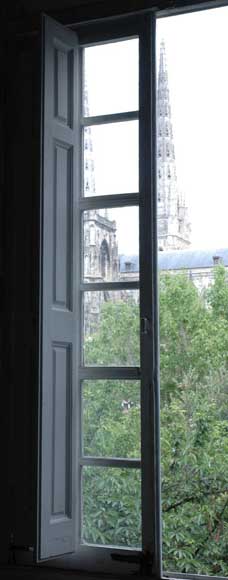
[{"x": 173, "y": 222}]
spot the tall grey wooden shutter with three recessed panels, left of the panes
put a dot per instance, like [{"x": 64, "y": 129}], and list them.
[{"x": 60, "y": 184}]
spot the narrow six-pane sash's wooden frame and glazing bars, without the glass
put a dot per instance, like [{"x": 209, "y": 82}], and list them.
[{"x": 146, "y": 200}]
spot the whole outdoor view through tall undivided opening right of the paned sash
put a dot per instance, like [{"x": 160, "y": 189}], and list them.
[{"x": 192, "y": 117}]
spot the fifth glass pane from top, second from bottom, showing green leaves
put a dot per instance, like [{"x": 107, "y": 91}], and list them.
[{"x": 111, "y": 418}]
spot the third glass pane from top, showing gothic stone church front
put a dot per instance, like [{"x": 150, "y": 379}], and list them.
[{"x": 110, "y": 255}]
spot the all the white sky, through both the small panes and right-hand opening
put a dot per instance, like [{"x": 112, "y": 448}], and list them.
[{"x": 197, "y": 57}]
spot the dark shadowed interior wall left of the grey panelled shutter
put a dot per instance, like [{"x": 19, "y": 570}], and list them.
[{"x": 21, "y": 266}]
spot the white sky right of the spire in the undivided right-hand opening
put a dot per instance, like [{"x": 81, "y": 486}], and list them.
[{"x": 197, "y": 54}]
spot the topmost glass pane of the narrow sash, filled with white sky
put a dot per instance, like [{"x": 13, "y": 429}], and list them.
[{"x": 111, "y": 78}]
